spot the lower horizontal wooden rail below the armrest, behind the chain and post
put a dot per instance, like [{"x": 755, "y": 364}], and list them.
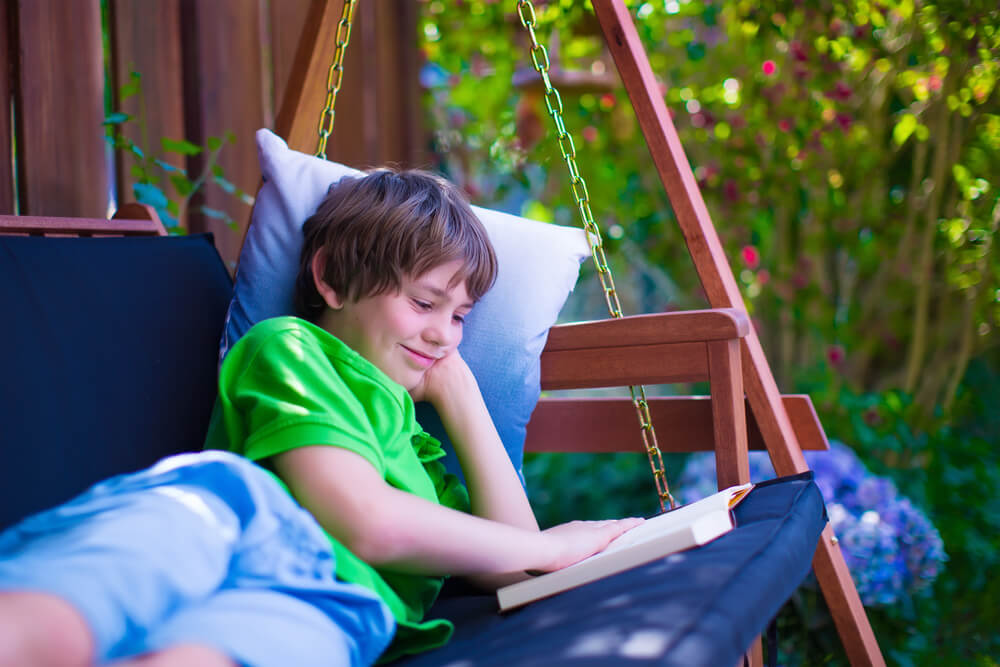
[{"x": 683, "y": 424}]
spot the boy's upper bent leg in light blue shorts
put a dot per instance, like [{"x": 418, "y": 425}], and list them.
[{"x": 113, "y": 562}]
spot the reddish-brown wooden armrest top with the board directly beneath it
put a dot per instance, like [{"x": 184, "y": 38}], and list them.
[{"x": 640, "y": 349}]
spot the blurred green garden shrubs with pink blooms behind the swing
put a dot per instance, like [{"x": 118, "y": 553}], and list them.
[{"x": 849, "y": 154}]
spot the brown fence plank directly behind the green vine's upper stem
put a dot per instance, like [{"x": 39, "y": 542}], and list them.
[{"x": 146, "y": 38}]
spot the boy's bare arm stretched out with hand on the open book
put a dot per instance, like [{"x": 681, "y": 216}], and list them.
[{"x": 395, "y": 530}]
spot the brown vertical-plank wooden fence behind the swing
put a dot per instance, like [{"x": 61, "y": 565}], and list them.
[{"x": 207, "y": 67}]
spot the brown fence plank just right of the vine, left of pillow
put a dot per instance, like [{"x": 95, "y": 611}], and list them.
[{"x": 224, "y": 93}]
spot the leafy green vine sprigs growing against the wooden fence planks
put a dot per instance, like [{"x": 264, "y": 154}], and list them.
[{"x": 155, "y": 175}]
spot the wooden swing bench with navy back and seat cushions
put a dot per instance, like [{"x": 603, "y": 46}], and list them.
[{"x": 114, "y": 343}]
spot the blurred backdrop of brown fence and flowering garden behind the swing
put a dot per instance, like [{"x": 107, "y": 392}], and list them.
[{"x": 848, "y": 152}]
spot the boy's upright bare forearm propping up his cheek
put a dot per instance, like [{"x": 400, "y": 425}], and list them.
[{"x": 494, "y": 487}]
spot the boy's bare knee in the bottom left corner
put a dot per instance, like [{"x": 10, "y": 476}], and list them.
[{"x": 43, "y": 630}]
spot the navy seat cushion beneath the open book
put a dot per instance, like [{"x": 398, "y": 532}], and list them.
[{"x": 700, "y": 607}]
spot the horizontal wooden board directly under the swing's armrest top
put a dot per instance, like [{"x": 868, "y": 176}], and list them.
[{"x": 620, "y": 366}]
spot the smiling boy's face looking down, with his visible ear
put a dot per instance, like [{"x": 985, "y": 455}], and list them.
[{"x": 404, "y": 333}]
